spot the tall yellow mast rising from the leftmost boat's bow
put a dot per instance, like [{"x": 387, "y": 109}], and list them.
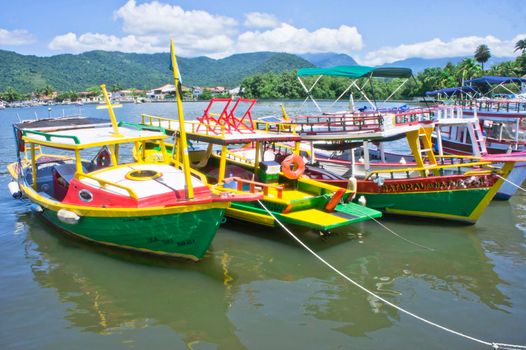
[{"x": 182, "y": 131}]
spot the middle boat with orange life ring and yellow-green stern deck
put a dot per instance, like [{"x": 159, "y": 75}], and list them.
[{"x": 291, "y": 198}]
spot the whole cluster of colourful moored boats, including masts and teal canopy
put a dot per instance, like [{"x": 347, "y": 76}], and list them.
[{"x": 163, "y": 185}]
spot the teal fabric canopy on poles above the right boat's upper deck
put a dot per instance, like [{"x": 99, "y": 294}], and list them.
[{"x": 356, "y": 72}]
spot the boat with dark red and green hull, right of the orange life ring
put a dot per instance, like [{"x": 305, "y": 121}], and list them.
[{"x": 434, "y": 187}]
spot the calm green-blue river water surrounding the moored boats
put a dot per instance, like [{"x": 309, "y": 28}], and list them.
[{"x": 257, "y": 288}]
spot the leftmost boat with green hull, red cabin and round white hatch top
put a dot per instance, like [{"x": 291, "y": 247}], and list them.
[{"x": 162, "y": 208}]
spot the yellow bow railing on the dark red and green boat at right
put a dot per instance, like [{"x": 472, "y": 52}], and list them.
[{"x": 426, "y": 171}]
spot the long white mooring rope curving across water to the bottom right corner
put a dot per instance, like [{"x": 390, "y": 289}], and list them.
[{"x": 480, "y": 341}]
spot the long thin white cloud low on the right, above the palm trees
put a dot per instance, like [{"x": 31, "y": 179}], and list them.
[{"x": 437, "y": 48}]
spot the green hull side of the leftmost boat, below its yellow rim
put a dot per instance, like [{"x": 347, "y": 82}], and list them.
[{"x": 185, "y": 234}]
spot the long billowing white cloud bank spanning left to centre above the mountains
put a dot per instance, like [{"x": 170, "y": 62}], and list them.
[{"x": 150, "y": 25}]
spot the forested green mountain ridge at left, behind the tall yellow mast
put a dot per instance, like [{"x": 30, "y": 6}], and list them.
[{"x": 130, "y": 70}]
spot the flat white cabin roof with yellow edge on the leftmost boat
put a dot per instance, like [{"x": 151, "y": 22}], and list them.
[{"x": 80, "y": 133}]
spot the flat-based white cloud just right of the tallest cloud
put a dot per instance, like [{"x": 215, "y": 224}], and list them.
[{"x": 287, "y": 38}]
